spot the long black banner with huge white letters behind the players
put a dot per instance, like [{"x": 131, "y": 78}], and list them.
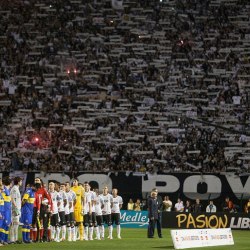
[{"x": 177, "y": 185}]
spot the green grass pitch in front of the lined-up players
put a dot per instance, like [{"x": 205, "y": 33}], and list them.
[{"x": 132, "y": 239}]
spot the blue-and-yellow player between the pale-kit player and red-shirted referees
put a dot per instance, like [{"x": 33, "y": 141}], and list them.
[{"x": 27, "y": 212}]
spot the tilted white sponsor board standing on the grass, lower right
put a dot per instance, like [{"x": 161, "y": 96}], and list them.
[{"x": 191, "y": 238}]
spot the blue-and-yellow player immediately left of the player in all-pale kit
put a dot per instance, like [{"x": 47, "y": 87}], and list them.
[{"x": 7, "y": 209}]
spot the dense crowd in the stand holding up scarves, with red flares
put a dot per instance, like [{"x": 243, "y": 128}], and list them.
[{"x": 141, "y": 86}]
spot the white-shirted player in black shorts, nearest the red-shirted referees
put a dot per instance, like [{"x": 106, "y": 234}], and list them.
[{"x": 56, "y": 200}]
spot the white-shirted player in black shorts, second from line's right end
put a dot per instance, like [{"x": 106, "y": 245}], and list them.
[{"x": 106, "y": 211}]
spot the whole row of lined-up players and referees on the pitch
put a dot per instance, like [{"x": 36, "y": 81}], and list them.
[{"x": 64, "y": 210}]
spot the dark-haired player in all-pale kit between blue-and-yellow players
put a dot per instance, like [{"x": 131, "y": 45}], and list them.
[{"x": 16, "y": 208}]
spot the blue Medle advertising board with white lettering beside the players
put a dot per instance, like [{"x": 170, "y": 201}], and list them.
[{"x": 134, "y": 219}]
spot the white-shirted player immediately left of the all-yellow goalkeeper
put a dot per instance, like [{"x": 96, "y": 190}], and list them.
[{"x": 69, "y": 212}]
